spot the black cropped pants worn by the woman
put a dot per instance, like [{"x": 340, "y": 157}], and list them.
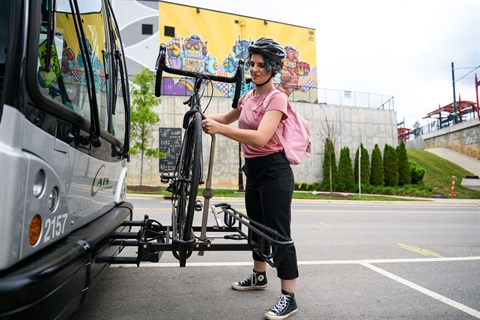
[{"x": 268, "y": 196}]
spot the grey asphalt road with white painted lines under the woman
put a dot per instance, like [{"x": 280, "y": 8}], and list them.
[{"x": 357, "y": 260}]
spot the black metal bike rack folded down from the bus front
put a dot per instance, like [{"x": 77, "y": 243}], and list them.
[{"x": 152, "y": 239}]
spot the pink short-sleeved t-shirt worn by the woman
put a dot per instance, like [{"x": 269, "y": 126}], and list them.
[{"x": 251, "y": 114}]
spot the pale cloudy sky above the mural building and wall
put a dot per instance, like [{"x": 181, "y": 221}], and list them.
[{"x": 399, "y": 48}]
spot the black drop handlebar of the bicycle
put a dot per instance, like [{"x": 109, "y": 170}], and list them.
[{"x": 162, "y": 66}]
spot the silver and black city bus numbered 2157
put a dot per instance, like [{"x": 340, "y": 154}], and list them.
[{"x": 64, "y": 143}]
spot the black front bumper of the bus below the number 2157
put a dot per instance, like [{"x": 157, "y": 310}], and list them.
[{"x": 53, "y": 283}]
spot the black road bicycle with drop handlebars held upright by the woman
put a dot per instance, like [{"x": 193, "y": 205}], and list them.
[{"x": 186, "y": 178}]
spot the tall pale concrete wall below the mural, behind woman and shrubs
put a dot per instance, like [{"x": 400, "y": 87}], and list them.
[{"x": 347, "y": 127}]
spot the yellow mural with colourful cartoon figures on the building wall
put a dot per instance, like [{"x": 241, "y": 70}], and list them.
[{"x": 213, "y": 42}]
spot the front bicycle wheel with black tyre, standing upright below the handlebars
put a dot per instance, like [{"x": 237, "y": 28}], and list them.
[{"x": 188, "y": 175}]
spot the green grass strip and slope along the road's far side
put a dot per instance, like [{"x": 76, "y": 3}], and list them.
[{"x": 437, "y": 183}]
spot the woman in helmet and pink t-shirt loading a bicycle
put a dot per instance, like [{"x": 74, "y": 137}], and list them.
[{"x": 270, "y": 181}]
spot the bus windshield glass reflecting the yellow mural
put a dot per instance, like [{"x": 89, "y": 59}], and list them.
[{"x": 67, "y": 78}]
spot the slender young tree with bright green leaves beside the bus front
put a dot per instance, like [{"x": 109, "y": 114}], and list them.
[{"x": 143, "y": 117}]
